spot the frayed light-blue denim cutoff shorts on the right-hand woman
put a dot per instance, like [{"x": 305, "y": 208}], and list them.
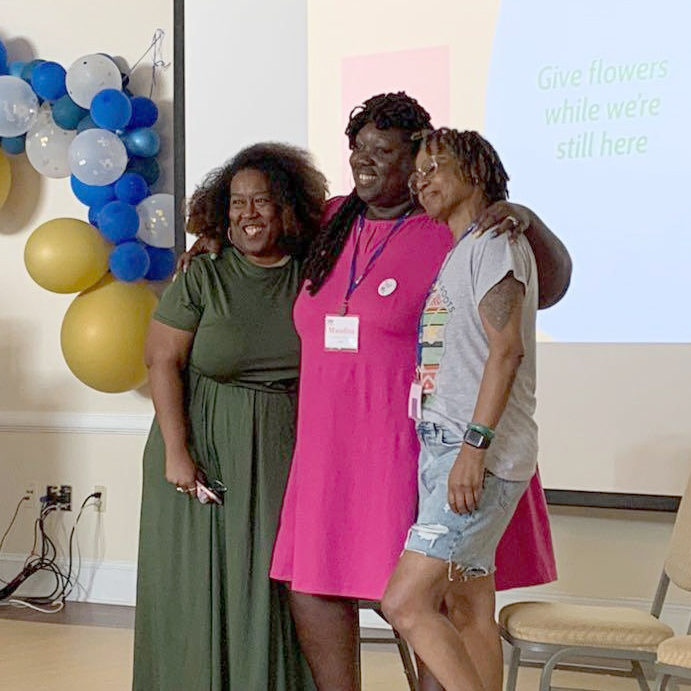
[{"x": 467, "y": 541}]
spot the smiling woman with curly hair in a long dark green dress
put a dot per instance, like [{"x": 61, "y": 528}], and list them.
[{"x": 223, "y": 355}]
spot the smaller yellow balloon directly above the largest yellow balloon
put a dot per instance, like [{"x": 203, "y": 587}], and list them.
[{"x": 66, "y": 255}]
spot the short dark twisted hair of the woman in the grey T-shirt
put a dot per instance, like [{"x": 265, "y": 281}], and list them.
[{"x": 476, "y": 158}]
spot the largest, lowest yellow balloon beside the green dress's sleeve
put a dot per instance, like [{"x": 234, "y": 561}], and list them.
[{"x": 103, "y": 334}]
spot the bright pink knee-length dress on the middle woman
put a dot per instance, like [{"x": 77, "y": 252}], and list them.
[{"x": 351, "y": 493}]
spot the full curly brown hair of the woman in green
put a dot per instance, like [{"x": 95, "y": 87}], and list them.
[{"x": 297, "y": 189}]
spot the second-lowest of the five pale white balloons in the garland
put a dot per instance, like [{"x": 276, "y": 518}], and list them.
[{"x": 97, "y": 157}]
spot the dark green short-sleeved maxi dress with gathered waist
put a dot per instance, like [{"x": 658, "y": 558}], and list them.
[{"x": 208, "y": 618}]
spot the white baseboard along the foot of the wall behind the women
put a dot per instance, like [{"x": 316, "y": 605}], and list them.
[{"x": 115, "y": 583}]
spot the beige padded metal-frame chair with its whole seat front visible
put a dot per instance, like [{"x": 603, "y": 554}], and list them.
[{"x": 563, "y": 631}]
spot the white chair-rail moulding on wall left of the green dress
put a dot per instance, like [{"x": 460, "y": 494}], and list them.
[{"x": 85, "y": 423}]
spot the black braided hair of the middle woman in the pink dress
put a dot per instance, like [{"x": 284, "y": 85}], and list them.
[{"x": 385, "y": 111}]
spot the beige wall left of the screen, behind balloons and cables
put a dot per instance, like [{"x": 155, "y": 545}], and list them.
[{"x": 37, "y": 392}]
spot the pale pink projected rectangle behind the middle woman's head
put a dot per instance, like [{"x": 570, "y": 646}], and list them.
[{"x": 422, "y": 73}]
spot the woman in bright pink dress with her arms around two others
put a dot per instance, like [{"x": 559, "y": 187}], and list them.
[{"x": 351, "y": 494}]
